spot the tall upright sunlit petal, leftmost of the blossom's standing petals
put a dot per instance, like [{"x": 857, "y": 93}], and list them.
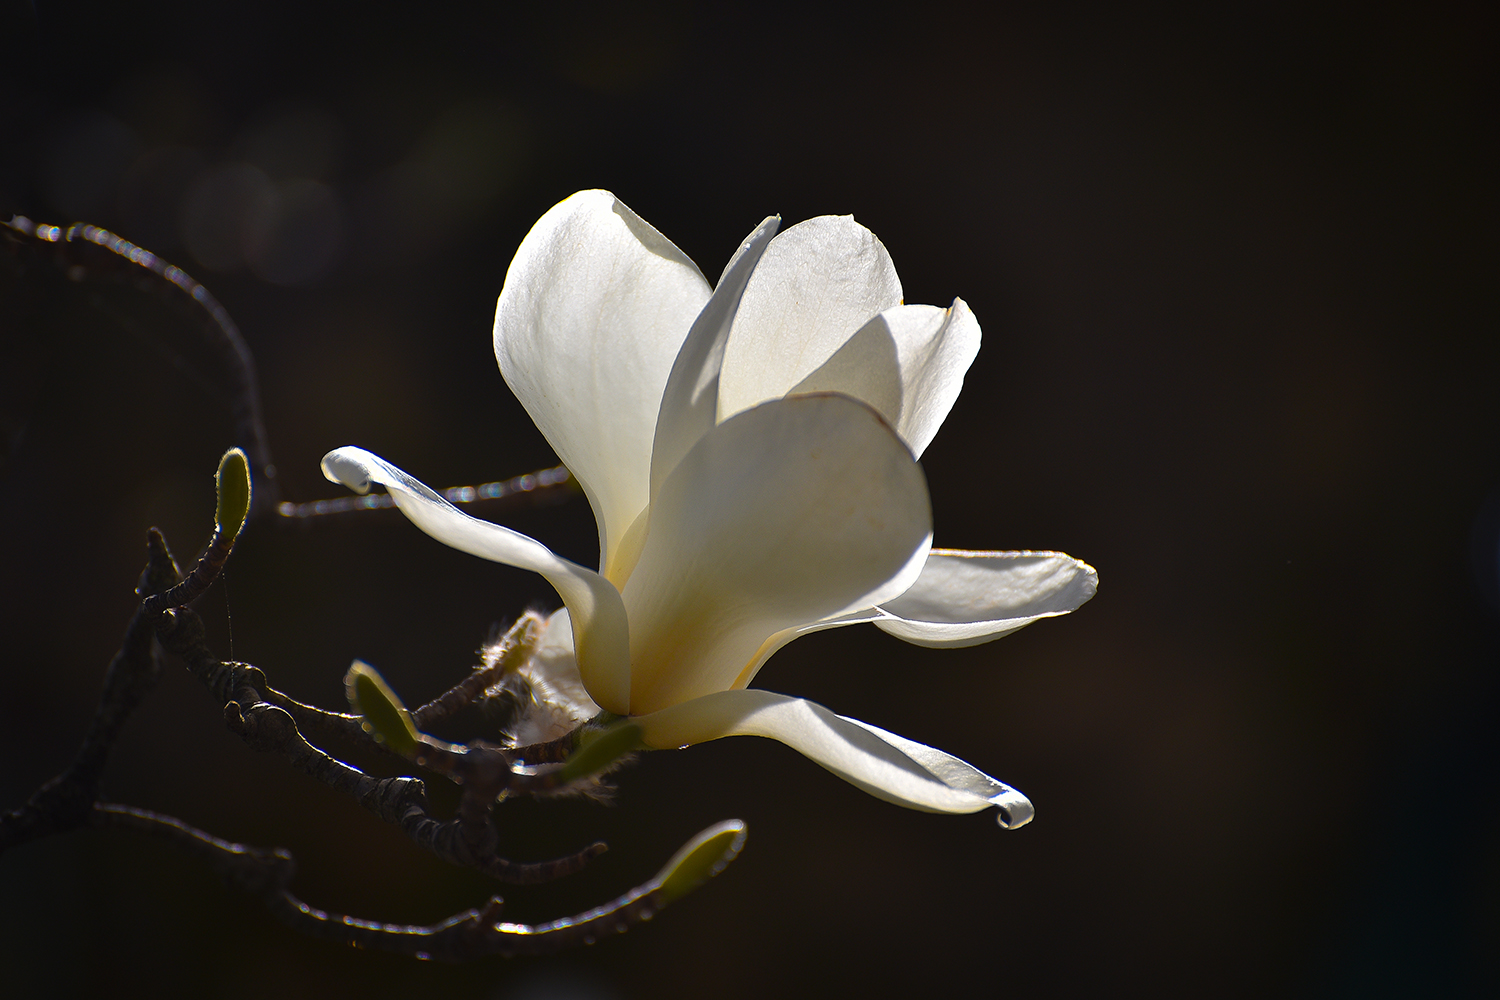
[{"x": 593, "y": 313}]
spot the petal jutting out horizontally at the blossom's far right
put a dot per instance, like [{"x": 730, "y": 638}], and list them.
[{"x": 964, "y": 599}]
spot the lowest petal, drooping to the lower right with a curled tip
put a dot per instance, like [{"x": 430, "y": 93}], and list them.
[{"x": 884, "y": 765}]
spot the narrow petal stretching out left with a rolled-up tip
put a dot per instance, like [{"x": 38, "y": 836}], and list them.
[{"x": 601, "y": 632}]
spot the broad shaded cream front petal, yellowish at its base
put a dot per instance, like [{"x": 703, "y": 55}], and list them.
[{"x": 794, "y": 512}]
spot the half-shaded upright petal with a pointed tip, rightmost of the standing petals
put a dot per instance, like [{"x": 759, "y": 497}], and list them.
[{"x": 908, "y": 364}]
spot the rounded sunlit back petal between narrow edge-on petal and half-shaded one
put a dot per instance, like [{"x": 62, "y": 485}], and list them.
[{"x": 817, "y": 286}]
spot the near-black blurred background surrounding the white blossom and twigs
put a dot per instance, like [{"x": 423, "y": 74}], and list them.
[{"x": 1235, "y": 269}]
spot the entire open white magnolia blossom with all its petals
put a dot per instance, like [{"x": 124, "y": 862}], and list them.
[{"x": 751, "y": 455}]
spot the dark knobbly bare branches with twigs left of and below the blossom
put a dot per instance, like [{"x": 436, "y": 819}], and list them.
[{"x": 271, "y": 722}]
